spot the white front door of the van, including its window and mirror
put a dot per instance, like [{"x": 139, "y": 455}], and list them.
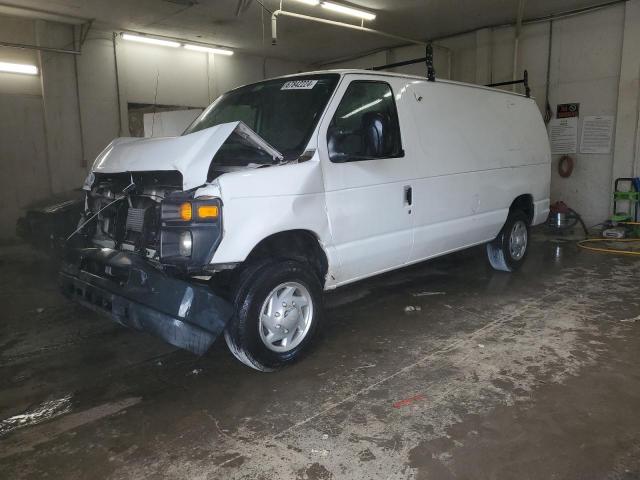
[{"x": 365, "y": 174}]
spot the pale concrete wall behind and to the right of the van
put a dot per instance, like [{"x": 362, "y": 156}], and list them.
[{"x": 587, "y": 57}]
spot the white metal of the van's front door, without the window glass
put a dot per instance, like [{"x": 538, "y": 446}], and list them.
[{"x": 369, "y": 218}]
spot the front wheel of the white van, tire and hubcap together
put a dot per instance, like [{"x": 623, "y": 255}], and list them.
[{"x": 278, "y": 312}]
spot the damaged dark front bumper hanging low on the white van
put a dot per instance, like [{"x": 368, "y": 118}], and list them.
[{"x": 142, "y": 297}]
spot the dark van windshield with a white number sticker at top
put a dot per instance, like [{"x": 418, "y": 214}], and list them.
[{"x": 284, "y": 111}]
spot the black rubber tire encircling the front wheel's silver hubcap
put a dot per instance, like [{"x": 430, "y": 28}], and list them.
[{"x": 252, "y": 288}]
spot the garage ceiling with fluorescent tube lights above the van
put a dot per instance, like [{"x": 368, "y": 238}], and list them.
[{"x": 217, "y": 22}]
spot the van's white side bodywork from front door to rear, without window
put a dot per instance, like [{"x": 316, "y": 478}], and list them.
[{"x": 469, "y": 152}]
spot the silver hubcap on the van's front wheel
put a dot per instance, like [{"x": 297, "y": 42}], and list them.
[{"x": 285, "y": 317}]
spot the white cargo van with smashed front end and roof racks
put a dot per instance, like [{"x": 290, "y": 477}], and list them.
[{"x": 291, "y": 186}]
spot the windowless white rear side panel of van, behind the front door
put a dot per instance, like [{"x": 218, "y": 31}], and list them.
[{"x": 476, "y": 151}]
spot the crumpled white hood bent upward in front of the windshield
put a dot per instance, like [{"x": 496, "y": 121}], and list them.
[{"x": 190, "y": 154}]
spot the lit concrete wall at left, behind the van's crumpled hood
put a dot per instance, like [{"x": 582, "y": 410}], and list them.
[{"x": 53, "y": 125}]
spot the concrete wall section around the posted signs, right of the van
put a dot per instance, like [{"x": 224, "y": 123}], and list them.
[{"x": 585, "y": 68}]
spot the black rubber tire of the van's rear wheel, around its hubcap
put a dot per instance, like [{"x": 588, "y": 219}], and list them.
[{"x": 500, "y": 252}]
